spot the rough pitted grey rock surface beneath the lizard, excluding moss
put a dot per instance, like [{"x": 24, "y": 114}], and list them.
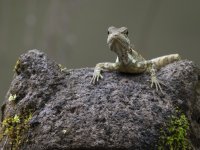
[{"x": 121, "y": 112}]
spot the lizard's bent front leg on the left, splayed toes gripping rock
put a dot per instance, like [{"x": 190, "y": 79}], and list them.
[{"x": 100, "y": 67}]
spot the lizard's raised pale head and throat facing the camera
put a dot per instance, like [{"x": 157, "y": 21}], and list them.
[{"x": 119, "y": 42}]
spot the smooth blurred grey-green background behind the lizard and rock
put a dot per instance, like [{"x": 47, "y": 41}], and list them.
[{"x": 74, "y": 32}]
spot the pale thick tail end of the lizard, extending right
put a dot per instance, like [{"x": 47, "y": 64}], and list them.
[{"x": 165, "y": 60}]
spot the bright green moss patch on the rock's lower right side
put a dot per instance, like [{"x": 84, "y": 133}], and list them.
[{"x": 174, "y": 135}]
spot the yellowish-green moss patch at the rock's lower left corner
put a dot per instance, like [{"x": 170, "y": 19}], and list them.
[{"x": 14, "y": 129}]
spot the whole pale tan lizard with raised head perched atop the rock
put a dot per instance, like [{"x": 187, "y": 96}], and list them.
[{"x": 129, "y": 60}]
